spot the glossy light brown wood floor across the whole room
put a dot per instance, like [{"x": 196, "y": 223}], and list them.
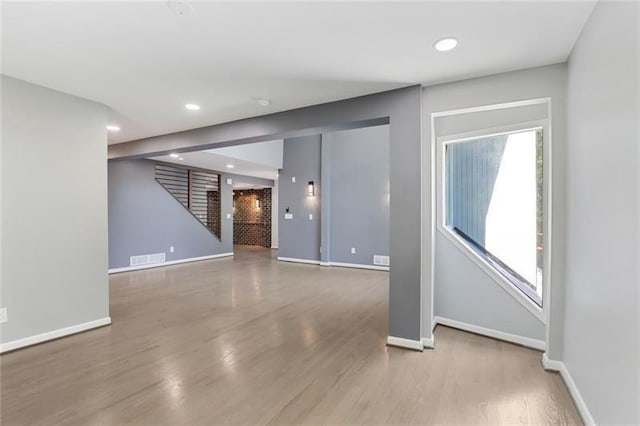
[{"x": 254, "y": 341}]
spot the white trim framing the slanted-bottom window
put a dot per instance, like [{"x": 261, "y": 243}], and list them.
[{"x": 542, "y": 314}]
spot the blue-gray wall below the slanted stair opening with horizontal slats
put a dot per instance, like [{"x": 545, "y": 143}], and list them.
[{"x": 144, "y": 218}]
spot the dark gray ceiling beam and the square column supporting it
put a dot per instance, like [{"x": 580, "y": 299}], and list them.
[{"x": 402, "y": 110}]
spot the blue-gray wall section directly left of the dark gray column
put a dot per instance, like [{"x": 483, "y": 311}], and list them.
[{"x": 355, "y": 167}]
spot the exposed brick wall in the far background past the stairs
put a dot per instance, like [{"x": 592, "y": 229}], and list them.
[{"x": 251, "y": 225}]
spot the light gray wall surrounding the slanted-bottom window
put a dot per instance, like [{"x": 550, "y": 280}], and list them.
[{"x": 463, "y": 291}]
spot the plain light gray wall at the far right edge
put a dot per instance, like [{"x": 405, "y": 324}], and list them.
[{"x": 602, "y": 335}]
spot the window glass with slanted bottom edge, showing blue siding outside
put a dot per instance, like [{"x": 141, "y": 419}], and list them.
[{"x": 493, "y": 202}]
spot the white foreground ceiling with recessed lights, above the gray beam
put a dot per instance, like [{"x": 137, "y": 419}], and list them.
[{"x": 145, "y": 62}]
